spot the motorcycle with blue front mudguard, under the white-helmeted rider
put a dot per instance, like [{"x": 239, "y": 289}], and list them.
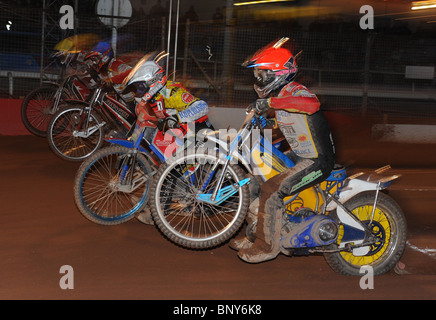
[{"x": 113, "y": 184}]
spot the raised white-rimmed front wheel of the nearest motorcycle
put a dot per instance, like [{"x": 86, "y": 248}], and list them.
[{"x": 191, "y": 221}]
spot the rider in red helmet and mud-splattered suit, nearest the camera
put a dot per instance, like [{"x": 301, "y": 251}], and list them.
[{"x": 305, "y": 128}]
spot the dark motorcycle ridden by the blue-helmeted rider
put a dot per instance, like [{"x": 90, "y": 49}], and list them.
[{"x": 78, "y": 128}]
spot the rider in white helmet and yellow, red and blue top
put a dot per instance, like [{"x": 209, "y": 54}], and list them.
[{"x": 170, "y": 103}]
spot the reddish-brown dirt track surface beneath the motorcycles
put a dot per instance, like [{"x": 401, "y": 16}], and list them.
[{"x": 41, "y": 230}]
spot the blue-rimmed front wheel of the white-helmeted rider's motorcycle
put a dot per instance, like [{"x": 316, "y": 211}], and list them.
[{"x": 98, "y": 192}]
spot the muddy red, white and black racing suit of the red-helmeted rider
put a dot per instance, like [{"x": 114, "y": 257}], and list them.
[{"x": 307, "y": 132}]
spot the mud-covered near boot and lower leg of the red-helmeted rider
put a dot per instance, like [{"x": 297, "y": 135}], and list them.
[{"x": 267, "y": 244}]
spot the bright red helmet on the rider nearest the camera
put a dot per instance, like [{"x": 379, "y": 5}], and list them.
[{"x": 274, "y": 66}]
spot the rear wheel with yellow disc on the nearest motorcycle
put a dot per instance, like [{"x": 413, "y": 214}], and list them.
[{"x": 389, "y": 224}]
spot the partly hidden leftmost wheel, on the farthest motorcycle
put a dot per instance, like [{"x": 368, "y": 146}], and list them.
[{"x": 36, "y": 109}]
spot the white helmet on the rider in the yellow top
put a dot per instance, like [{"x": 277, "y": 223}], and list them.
[{"x": 147, "y": 77}]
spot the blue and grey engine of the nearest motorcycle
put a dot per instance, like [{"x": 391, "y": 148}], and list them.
[{"x": 305, "y": 229}]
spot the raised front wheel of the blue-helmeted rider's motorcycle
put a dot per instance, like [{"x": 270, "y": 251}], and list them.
[{"x": 62, "y": 134}]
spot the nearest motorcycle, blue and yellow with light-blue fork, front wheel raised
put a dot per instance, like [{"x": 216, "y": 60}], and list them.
[{"x": 200, "y": 200}]
